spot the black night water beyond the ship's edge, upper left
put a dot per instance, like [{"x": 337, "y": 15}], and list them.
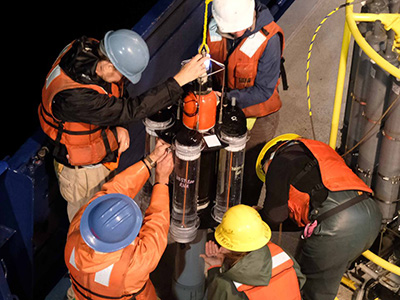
[{"x": 32, "y": 39}]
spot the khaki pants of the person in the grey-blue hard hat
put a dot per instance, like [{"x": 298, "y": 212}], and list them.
[{"x": 78, "y": 185}]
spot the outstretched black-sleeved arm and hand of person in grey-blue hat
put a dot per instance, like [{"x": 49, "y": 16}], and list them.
[{"x": 88, "y": 106}]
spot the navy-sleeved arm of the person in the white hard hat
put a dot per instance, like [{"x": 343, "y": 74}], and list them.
[{"x": 268, "y": 72}]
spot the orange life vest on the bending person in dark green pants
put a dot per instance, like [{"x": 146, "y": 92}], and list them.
[{"x": 335, "y": 174}]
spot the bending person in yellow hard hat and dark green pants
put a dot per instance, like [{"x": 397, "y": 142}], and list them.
[{"x": 308, "y": 183}]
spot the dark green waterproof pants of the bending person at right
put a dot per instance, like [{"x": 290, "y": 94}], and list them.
[{"x": 336, "y": 242}]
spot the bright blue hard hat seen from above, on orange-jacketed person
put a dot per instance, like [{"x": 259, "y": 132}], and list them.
[{"x": 111, "y": 222}]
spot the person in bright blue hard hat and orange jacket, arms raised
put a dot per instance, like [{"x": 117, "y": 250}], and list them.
[{"x": 111, "y": 249}]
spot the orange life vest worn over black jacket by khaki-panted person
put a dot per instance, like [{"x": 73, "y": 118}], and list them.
[{"x": 86, "y": 143}]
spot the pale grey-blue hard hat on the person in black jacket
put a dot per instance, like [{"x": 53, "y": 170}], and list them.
[{"x": 127, "y": 51}]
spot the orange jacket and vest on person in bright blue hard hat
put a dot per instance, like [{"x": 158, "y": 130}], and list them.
[{"x": 121, "y": 274}]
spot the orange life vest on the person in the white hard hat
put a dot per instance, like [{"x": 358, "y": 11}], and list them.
[{"x": 242, "y": 63}]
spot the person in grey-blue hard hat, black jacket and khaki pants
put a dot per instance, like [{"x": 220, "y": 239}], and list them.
[{"x": 86, "y": 107}]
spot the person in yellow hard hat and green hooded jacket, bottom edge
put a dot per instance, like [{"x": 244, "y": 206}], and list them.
[{"x": 248, "y": 265}]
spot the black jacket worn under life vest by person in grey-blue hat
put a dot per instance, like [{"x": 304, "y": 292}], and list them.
[{"x": 86, "y": 105}]
